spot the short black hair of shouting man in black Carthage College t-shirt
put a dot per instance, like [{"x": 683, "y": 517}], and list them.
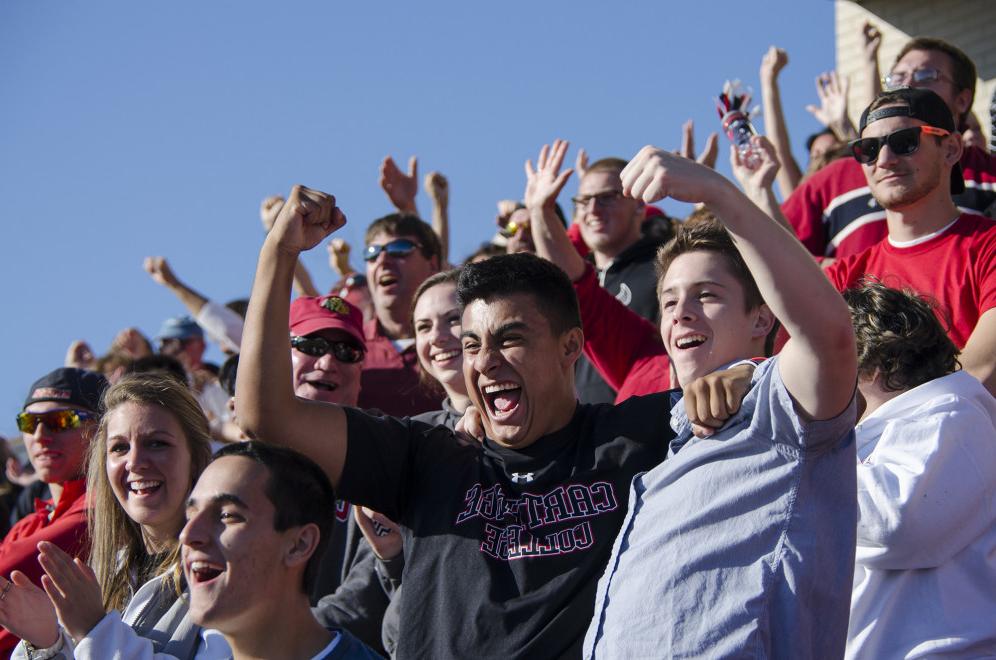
[{"x": 509, "y": 274}]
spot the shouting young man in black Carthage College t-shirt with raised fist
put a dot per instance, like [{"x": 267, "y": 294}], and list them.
[{"x": 507, "y": 539}]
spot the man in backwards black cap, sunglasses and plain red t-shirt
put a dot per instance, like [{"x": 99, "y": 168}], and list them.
[{"x": 911, "y": 154}]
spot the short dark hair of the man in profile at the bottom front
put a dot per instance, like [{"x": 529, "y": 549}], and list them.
[{"x": 299, "y": 490}]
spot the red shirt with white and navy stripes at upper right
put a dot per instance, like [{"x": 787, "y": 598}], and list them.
[{"x": 834, "y": 214}]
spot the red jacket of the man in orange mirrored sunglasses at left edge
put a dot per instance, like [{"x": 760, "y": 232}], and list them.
[{"x": 66, "y": 528}]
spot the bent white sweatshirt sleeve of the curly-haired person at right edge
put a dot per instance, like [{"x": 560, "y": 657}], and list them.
[{"x": 926, "y": 490}]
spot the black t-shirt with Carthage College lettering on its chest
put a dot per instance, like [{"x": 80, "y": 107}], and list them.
[{"x": 503, "y": 548}]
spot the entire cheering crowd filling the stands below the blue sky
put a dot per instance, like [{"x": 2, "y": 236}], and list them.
[{"x": 764, "y": 430}]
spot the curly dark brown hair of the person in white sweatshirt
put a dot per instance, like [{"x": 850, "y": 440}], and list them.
[{"x": 899, "y": 336}]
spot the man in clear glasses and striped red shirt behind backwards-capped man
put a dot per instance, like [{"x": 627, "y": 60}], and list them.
[{"x": 834, "y": 213}]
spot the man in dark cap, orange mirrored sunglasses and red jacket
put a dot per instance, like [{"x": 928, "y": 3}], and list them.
[{"x": 60, "y": 415}]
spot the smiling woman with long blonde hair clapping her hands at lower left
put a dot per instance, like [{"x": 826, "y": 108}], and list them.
[{"x": 152, "y": 444}]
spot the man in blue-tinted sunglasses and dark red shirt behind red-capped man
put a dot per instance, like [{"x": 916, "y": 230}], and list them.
[{"x": 401, "y": 251}]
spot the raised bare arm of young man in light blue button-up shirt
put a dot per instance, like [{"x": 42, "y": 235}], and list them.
[{"x": 819, "y": 363}]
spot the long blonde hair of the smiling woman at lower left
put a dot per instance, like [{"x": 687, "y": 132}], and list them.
[{"x": 117, "y": 550}]
